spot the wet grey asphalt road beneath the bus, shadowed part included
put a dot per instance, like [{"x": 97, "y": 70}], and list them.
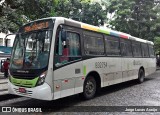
[{"x": 126, "y": 95}]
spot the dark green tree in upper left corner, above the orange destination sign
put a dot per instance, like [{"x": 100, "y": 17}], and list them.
[{"x": 15, "y": 13}]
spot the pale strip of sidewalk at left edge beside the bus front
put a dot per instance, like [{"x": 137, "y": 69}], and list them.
[{"x": 3, "y": 85}]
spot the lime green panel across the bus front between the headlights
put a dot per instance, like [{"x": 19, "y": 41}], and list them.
[{"x": 24, "y": 82}]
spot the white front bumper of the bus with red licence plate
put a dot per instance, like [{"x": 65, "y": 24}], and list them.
[{"x": 42, "y": 92}]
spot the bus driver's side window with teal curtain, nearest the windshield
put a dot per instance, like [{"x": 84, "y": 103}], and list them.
[{"x": 68, "y": 48}]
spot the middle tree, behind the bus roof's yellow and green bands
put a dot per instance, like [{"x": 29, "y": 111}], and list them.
[{"x": 82, "y": 10}]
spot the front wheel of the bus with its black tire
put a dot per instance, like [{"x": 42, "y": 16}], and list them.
[{"x": 89, "y": 88}]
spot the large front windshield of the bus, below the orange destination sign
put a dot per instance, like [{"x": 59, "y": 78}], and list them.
[{"x": 31, "y": 50}]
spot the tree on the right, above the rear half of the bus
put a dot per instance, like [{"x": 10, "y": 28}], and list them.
[{"x": 135, "y": 17}]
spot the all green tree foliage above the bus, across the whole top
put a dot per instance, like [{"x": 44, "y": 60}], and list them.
[{"x": 139, "y": 18}]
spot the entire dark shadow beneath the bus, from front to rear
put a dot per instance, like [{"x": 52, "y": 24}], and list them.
[{"x": 70, "y": 102}]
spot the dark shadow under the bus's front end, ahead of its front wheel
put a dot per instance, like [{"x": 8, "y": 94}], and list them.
[{"x": 49, "y": 106}]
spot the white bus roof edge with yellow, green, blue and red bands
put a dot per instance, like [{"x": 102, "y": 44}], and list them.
[{"x": 98, "y": 29}]
